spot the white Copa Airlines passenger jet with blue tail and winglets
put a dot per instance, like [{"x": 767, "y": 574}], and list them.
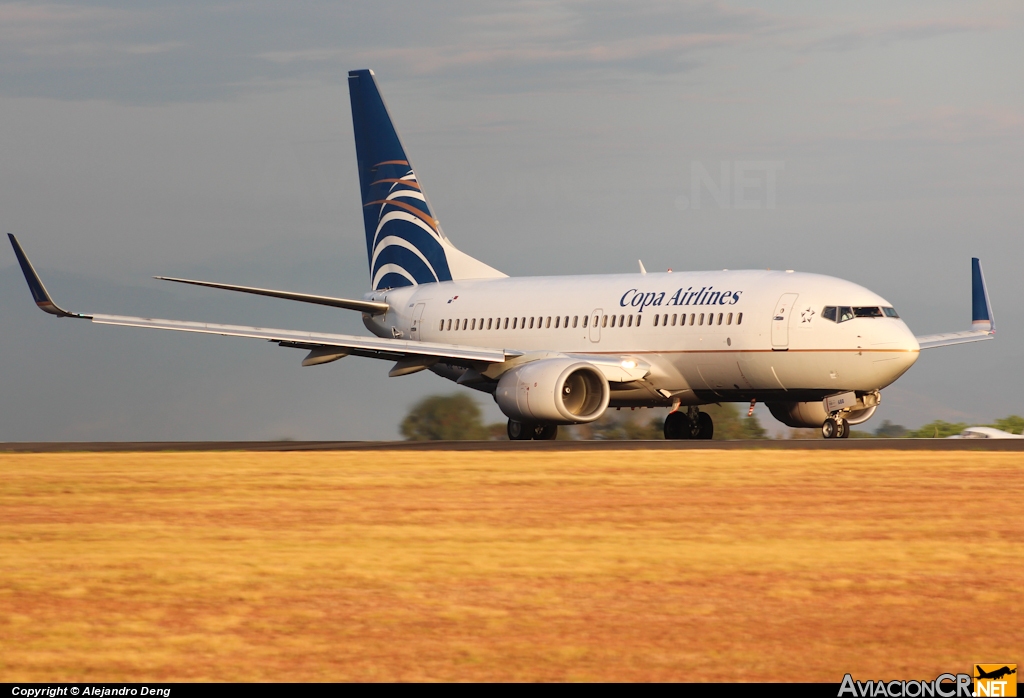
[{"x": 562, "y": 351}]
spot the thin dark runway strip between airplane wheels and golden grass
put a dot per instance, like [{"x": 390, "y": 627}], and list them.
[{"x": 516, "y": 447}]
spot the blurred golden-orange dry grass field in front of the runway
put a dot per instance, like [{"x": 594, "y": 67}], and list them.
[{"x": 614, "y": 565}]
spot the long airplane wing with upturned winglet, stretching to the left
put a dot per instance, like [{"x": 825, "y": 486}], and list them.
[{"x": 324, "y": 347}]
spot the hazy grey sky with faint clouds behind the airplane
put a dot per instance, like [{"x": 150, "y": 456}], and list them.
[{"x": 878, "y": 143}]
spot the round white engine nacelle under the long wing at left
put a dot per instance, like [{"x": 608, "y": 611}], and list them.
[{"x": 553, "y": 391}]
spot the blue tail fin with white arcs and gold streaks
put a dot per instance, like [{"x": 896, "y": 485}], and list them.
[{"x": 405, "y": 243}]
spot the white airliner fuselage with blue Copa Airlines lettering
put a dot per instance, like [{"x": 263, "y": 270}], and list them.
[{"x": 708, "y": 336}]
